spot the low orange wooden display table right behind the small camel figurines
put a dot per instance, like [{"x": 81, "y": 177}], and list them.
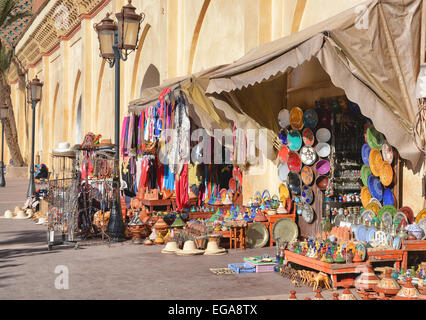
[{"x": 333, "y": 269}]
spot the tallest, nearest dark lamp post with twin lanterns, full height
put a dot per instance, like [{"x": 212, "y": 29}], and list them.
[{"x": 116, "y": 41}]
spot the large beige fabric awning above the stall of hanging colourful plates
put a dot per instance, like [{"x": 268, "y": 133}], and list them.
[{"x": 374, "y": 57}]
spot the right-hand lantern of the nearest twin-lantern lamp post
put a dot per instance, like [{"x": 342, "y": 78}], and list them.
[{"x": 128, "y": 27}]
